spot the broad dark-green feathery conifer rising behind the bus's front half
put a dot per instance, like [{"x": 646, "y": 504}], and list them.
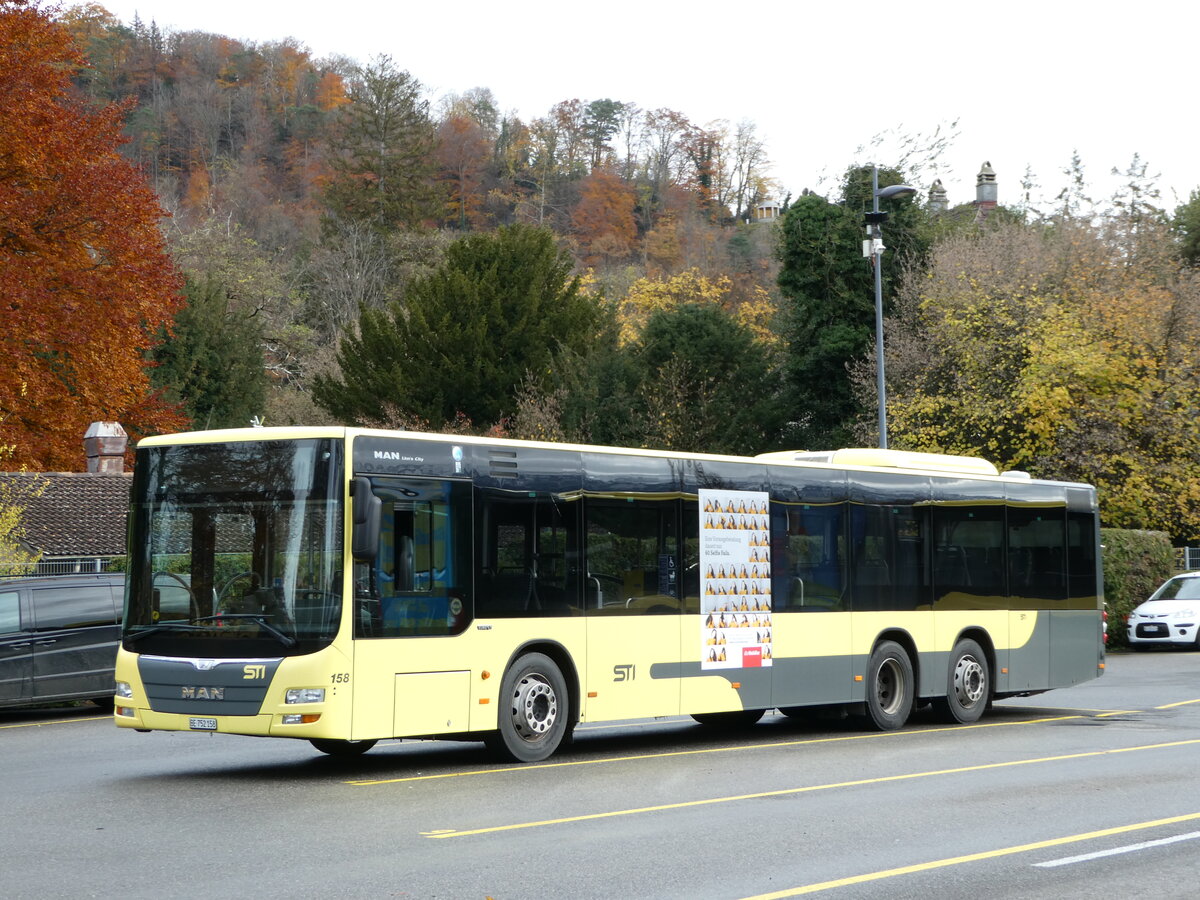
[{"x": 463, "y": 340}]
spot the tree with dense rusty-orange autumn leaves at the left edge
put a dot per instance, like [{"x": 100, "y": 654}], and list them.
[{"x": 86, "y": 281}]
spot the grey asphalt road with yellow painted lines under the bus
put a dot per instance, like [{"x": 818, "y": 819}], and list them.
[{"x": 1082, "y": 793}]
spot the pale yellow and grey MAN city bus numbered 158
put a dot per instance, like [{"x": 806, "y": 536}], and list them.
[{"x": 347, "y": 586}]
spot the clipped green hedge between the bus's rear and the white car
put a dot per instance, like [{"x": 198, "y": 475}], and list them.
[{"x": 1136, "y": 563}]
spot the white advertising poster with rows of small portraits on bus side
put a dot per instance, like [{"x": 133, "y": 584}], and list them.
[{"x": 735, "y": 579}]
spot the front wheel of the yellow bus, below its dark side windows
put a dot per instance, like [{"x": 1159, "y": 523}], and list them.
[{"x": 535, "y": 711}]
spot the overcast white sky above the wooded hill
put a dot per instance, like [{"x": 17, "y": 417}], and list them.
[{"x": 1030, "y": 82}]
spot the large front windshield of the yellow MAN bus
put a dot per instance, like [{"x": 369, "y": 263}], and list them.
[{"x": 236, "y": 549}]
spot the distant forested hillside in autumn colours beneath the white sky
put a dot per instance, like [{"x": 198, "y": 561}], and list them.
[{"x": 310, "y": 190}]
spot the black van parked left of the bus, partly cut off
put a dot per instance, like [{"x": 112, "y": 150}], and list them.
[{"x": 59, "y": 638}]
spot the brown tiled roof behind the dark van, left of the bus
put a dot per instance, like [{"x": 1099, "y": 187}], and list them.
[{"x": 76, "y": 515}]
